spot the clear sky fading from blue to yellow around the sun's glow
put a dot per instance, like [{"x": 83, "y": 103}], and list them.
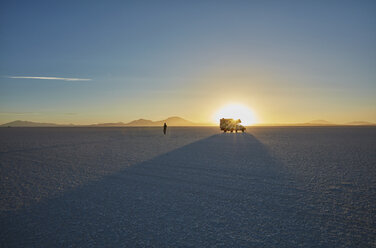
[{"x": 86, "y": 62}]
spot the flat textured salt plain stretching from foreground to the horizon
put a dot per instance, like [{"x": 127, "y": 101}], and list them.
[{"x": 135, "y": 187}]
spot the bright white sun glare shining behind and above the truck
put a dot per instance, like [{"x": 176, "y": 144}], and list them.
[{"x": 236, "y": 111}]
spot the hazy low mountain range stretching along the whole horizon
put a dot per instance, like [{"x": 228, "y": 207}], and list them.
[{"x": 174, "y": 121}]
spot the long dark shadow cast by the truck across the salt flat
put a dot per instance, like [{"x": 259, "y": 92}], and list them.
[{"x": 225, "y": 190}]
